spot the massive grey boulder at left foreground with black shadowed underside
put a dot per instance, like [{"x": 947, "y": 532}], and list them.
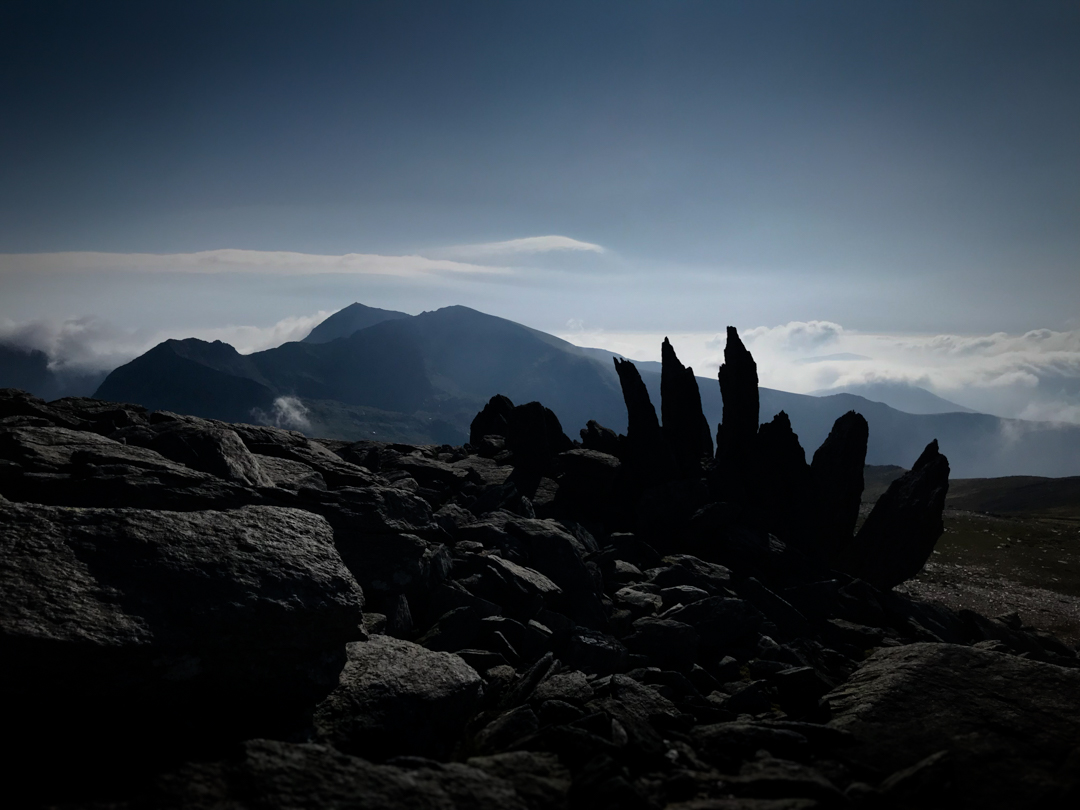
[{"x": 166, "y": 623}]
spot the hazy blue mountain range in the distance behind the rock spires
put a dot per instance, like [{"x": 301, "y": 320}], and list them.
[{"x": 423, "y": 379}]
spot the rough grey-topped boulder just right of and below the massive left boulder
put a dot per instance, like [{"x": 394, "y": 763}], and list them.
[{"x": 398, "y": 698}]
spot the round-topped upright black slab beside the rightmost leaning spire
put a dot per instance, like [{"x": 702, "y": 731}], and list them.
[{"x": 838, "y": 472}]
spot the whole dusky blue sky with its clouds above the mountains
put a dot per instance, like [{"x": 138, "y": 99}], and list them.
[{"x": 894, "y": 181}]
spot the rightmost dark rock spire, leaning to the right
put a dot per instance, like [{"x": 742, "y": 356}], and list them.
[{"x": 903, "y": 528}]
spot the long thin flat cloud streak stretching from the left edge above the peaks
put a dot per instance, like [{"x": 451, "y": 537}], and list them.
[{"x": 231, "y": 261}]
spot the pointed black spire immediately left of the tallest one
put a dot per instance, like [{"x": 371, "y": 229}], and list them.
[{"x": 685, "y": 426}]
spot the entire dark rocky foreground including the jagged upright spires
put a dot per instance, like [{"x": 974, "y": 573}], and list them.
[{"x": 196, "y": 614}]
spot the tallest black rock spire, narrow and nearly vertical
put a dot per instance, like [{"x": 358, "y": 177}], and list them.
[{"x": 738, "y": 376}]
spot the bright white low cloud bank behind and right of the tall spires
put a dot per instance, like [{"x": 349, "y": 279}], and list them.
[{"x": 1032, "y": 376}]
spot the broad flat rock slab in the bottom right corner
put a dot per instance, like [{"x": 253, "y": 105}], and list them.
[{"x": 1010, "y": 727}]
